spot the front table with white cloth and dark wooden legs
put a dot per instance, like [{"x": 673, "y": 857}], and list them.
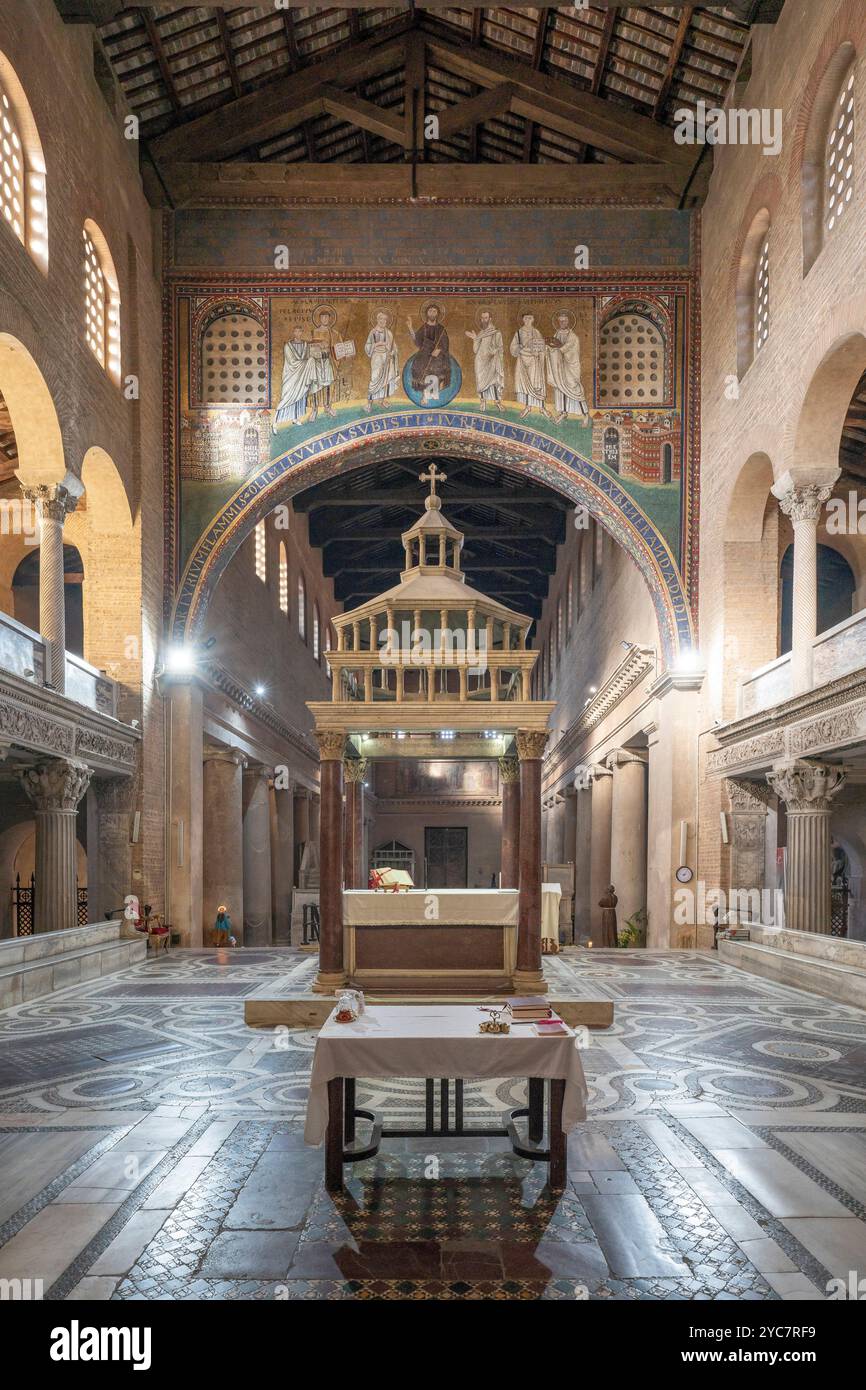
[{"x": 444, "y": 1042}]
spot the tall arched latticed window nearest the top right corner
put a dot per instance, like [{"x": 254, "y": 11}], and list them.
[{"x": 829, "y": 155}]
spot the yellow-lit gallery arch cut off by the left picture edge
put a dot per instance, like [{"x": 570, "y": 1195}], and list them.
[{"x": 31, "y": 407}]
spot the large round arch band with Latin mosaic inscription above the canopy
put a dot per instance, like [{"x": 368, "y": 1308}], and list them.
[{"x": 512, "y": 447}]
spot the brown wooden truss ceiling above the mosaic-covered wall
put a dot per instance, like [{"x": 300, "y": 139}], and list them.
[{"x": 555, "y": 87}]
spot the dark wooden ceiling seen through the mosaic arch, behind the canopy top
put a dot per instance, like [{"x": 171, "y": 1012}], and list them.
[{"x": 512, "y": 528}]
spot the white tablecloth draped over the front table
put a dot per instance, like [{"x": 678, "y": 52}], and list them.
[{"x": 439, "y": 1040}]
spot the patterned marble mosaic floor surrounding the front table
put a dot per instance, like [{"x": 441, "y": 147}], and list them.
[{"x": 151, "y": 1149}]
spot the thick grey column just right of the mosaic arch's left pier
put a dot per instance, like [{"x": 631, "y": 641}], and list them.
[{"x": 223, "y": 837}]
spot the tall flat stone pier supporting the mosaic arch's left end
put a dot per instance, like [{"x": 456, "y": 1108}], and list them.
[{"x": 184, "y": 874}]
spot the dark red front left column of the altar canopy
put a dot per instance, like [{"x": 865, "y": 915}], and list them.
[{"x": 332, "y": 974}]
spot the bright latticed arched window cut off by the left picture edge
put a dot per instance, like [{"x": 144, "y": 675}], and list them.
[{"x": 23, "y": 183}]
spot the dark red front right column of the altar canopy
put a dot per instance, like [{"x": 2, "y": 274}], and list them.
[{"x": 529, "y": 978}]
